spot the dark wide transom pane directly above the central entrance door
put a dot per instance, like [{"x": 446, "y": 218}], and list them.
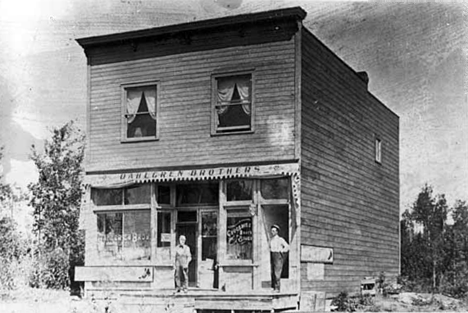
[{"x": 206, "y": 193}]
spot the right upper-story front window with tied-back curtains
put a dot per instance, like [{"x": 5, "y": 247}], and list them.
[{"x": 232, "y": 104}]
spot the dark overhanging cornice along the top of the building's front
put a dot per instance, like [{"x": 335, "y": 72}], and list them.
[{"x": 294, "y": 12}]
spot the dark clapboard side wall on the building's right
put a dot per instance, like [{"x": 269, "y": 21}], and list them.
[{"x": 349, "y": 202}]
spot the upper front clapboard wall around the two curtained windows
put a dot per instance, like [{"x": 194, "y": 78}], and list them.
[{"x": 183, "y": 73}]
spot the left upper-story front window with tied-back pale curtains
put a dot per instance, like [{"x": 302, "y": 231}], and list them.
[{"x": 141, "y": 112}]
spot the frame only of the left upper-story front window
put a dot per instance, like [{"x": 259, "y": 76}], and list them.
[{"x": 124, "y": 123}]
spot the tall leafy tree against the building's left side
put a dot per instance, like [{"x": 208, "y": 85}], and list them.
[{"x": 56, "y": 201}]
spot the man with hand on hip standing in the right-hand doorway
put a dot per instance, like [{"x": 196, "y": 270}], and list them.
[{"x": 278, "y": 253}]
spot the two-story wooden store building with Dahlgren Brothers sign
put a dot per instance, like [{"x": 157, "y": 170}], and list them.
[{"x": 217, "y": 129}]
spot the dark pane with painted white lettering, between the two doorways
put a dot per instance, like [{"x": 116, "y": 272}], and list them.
[{"x": 239, "y": 237}]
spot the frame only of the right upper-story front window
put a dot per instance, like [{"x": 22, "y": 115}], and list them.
[{"x": 214, "y": 96}]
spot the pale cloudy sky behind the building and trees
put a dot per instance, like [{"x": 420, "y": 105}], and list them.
[{"x": 415, "y": 54}]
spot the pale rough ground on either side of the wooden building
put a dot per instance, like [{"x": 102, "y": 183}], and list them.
[{"x": 51, "y": 301}]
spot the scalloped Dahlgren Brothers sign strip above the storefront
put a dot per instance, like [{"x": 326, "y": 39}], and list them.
[{"x": 108, "y": 180}]
